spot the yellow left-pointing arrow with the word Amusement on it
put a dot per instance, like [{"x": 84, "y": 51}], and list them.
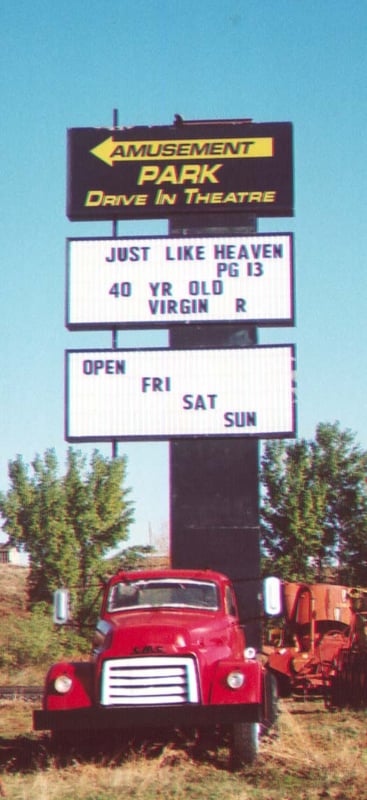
[{"x": 111, "y": 151}]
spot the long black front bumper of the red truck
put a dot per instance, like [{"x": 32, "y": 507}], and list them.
[{"x": 127, "y": 718}]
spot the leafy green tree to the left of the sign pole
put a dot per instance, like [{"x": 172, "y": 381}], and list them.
[{"x": 66, "y": 524}]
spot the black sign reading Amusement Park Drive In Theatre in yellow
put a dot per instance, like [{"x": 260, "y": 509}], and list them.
[{"x": 157, "y": 172}]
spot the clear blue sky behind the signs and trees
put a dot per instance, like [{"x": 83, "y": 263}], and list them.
[{"x": 69, "y": 64}]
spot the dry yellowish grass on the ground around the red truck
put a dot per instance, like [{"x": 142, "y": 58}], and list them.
[{"x": 315, "y": 755}]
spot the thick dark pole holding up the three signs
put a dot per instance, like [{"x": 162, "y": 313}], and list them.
[{"x": 214, "y": 494}]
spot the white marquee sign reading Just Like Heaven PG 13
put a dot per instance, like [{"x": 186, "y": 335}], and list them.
[{"x": 159, "y": 282}]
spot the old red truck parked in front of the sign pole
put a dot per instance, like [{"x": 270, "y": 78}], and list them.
[{"x": 168, "y": 651}]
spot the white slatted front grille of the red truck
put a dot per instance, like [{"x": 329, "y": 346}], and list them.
[{"x": 149, "y": 681}]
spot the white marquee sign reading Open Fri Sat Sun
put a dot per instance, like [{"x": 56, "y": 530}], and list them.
[{"x": 163, "y": 393}]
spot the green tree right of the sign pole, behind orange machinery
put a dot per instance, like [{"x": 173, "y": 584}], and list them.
[{"x": 314, "y": 511}]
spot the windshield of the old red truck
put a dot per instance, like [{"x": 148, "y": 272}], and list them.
[{"x": 154, "y": 593}]
